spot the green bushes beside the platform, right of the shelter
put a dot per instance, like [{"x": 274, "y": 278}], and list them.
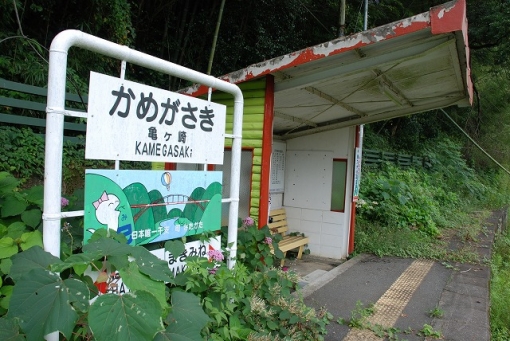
[{"x": 408, "y": 211}]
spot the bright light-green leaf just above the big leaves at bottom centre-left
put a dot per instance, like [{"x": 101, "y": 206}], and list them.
[{"x": 135, "y": 280}]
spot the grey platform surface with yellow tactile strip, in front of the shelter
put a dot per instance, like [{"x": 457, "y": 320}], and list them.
[{"x": 404, "y": 292}]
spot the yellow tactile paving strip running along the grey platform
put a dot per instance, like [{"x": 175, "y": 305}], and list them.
[{"x": 391, "y": 304}]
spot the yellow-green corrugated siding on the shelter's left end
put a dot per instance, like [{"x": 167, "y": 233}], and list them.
[{"x": 253, "y": 125}]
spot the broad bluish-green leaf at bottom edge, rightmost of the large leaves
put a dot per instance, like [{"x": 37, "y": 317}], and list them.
[{"x": 186, "y": 319}]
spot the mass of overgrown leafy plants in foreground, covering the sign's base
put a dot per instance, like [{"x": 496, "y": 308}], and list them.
[{"x": 40, "y": 293}]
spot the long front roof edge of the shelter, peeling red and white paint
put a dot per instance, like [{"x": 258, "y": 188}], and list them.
[{"x": 333, "y": 47}]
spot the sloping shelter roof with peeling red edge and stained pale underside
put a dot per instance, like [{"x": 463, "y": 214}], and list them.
[{"x": 409, "y": 66}]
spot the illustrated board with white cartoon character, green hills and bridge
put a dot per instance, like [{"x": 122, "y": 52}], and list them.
[{"x": 151, "y": 206}]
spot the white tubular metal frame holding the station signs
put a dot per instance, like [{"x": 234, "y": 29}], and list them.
[{"x": 56, "y": 111}]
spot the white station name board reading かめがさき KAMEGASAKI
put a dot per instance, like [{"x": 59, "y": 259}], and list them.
[{"x": 136, "y": 122}]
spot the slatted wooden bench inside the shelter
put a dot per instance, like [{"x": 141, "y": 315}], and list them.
[{"x": 278, "y": 225}]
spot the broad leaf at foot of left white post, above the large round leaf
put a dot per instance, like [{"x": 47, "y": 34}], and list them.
[{"x": 33, "y": 258}]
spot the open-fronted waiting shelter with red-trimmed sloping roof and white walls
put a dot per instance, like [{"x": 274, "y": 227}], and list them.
[{"x": 302, "y": 114}]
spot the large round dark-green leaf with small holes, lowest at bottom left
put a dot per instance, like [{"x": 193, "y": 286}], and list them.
[{"x": 42, "y": 303}]
